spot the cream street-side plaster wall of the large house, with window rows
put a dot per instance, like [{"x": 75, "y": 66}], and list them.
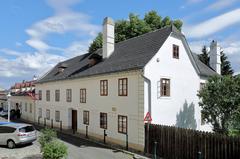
[{"x": 125, "y": 105}]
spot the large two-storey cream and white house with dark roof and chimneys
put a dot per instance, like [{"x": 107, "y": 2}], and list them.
[{"x": 114, "y": 87}]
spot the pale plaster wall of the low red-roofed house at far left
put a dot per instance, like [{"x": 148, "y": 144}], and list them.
[{"x": 21, "y": 100}]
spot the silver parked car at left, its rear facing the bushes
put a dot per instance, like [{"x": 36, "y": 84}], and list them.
[{"x": 12, "y": 134}]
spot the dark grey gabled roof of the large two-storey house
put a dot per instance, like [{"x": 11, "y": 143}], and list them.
[{"x": 130, "y": 54}]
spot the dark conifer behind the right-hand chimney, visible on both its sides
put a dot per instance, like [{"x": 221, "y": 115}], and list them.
[{"x": 226, "y": 68}]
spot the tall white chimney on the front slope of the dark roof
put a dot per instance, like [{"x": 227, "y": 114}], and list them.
[{"x": 108, "y": 37}]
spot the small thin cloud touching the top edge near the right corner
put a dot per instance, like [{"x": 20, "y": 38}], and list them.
[{"x": 220, "y": 4}]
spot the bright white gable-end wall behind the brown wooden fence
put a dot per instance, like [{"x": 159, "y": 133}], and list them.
[{"x": 185, "y": 83}]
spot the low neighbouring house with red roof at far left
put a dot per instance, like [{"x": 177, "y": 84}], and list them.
[{"x": 23, "y": 98}]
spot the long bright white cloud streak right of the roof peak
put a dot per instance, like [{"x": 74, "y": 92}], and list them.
[{"x": 212, "y": 25}]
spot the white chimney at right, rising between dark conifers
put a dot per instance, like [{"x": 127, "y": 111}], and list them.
[{"x": 215, "y": 56}]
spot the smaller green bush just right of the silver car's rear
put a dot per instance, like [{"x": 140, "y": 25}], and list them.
[{"x": 47, "y": 135}]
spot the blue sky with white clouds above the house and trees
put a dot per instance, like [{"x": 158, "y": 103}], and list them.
[{"x": 37, "y": 34}]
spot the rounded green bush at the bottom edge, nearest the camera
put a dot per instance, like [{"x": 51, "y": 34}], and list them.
[{"x": 54, "y": 150}]
